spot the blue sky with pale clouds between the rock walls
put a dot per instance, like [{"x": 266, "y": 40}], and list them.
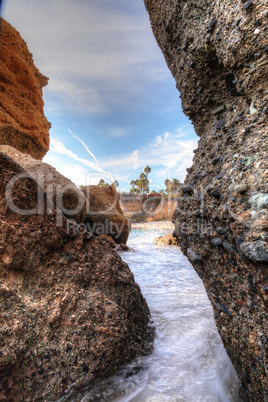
[{"x": 111, "y": 98}]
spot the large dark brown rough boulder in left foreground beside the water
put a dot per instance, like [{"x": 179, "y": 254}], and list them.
[{"x": 70, "y": 310}]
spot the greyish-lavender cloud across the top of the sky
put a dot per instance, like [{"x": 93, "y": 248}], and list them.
[{"x": 91, "y": 52}]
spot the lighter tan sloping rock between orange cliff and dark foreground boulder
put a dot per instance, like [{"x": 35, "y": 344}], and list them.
[{"x": 62, "y": 192}]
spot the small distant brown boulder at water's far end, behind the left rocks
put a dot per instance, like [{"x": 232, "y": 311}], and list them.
[{"x": 104, "y": 214}]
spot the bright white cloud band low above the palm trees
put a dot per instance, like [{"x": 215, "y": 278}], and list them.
[{"x": 159, "y": 154}]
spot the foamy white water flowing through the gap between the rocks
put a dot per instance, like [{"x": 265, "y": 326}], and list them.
[{"x": 189, "y": 362}]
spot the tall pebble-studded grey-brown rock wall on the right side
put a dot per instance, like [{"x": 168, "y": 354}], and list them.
[{"x": 217, "y": 52}]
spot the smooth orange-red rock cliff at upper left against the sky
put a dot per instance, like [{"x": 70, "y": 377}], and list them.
[{"x": 22, "y": 121}]
